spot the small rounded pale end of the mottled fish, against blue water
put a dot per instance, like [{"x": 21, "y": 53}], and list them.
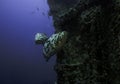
[{"x": 40, "y": 38}]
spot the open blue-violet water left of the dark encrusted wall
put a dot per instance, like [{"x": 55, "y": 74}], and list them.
[{"x": 21, "y": 61}]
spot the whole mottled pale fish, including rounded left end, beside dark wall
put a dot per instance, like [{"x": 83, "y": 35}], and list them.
[{"x": 52, "y": 44}]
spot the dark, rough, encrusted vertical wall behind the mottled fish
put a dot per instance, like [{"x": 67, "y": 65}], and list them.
[{"x": 91, "y": 54}]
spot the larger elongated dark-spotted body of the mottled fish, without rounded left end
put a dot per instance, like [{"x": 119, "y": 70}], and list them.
[{"x": 54, "y": 44}]
